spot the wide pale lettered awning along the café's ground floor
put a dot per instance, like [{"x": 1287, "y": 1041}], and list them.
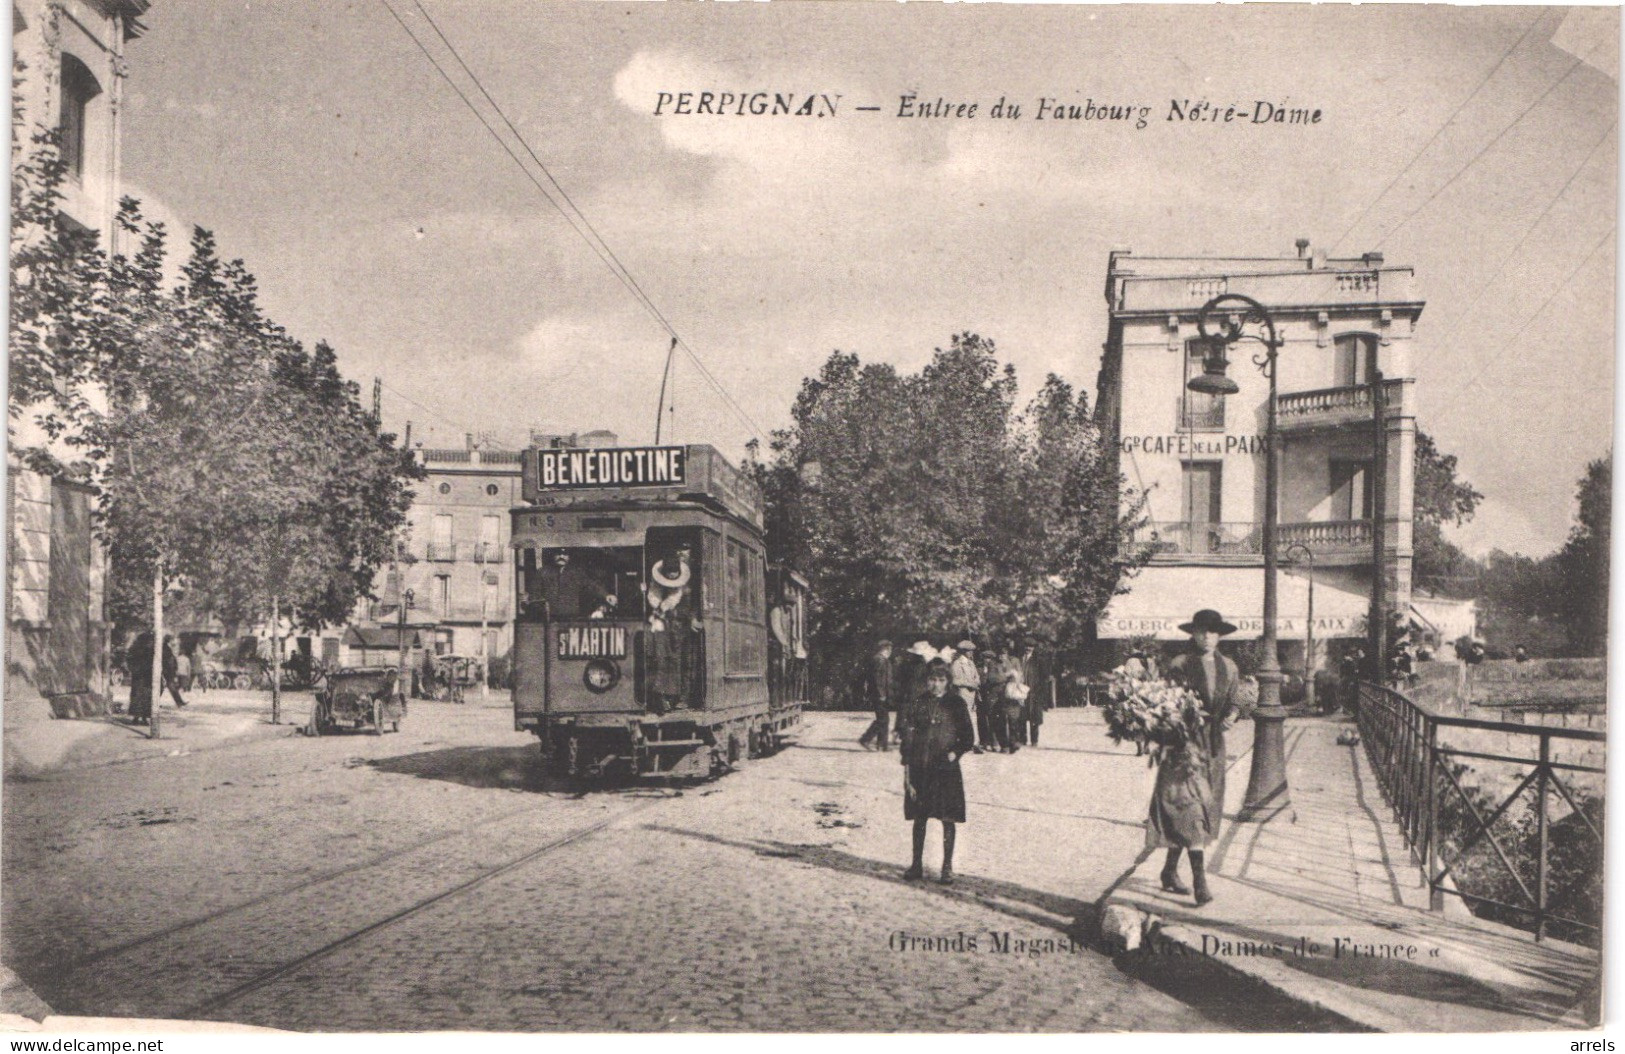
[{"x": 1161, "y": 598}]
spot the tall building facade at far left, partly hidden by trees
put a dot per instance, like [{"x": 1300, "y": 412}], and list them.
[{"x": 71, "y": 80}]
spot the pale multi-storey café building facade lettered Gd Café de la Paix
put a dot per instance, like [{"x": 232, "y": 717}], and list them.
[{"x": 1200, "y": 462}]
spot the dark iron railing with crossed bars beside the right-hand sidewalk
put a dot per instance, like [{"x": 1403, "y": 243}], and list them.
[{"x": 1423, "y": 779}]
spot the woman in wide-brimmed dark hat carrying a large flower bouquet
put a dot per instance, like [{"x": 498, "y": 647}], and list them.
[{"x": 1189, "y": 800}]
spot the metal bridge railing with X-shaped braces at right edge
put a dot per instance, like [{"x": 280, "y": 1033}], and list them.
[{"x": 1470, "y": 844}]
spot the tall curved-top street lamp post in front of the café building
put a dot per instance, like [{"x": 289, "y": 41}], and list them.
[{"x": 1236, "y": 314}]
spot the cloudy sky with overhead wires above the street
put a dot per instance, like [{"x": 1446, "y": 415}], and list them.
[{"x": 319, "y": 144}]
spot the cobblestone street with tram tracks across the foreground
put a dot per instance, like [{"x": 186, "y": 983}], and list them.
[{"x": 425, "y": 881}]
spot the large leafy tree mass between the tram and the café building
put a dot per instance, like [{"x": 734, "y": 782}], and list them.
[{"x": 927, "y": 504}]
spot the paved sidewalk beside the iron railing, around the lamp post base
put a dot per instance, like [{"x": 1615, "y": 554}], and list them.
[{"x": 1324, "y": 905}]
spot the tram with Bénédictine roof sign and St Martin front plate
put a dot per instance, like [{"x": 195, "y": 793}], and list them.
[{"x": 651, "y": 636}]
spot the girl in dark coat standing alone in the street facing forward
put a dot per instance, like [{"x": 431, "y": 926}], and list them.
[{"x": 937, "y": 733}]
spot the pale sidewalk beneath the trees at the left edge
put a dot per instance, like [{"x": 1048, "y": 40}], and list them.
[{"x": 35, "y": 749}]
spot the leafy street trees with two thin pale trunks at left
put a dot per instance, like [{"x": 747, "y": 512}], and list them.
[{"x": 228, "y": 462}]
